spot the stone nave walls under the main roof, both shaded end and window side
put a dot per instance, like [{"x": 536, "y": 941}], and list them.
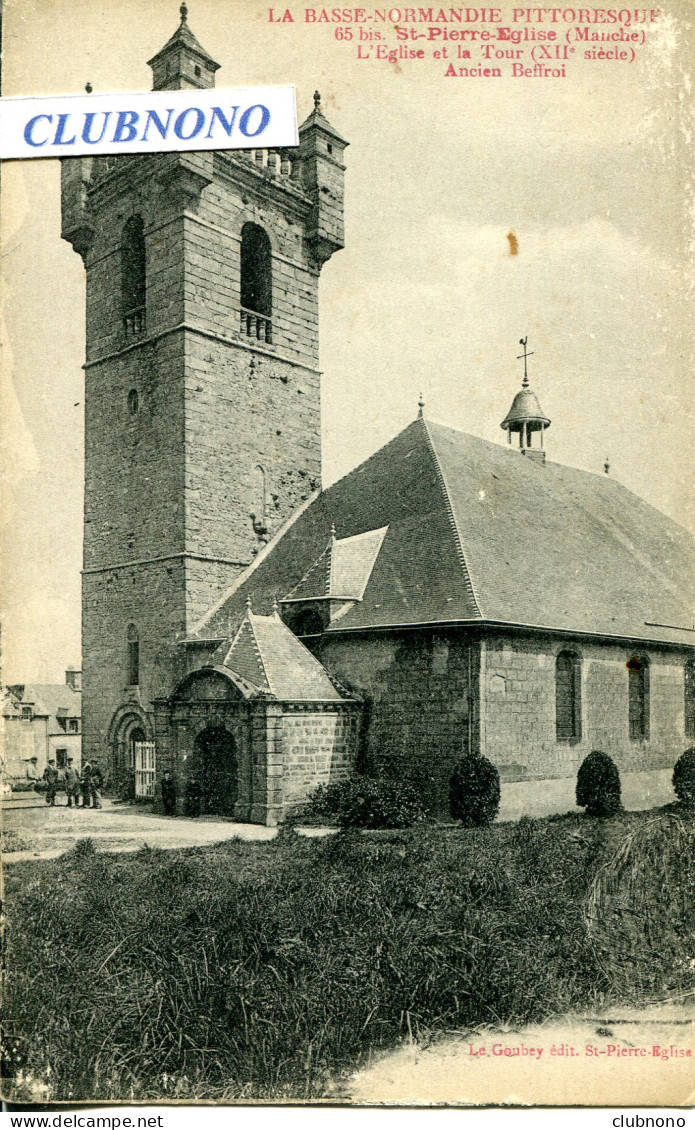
[{"x": 422, "y": 705}]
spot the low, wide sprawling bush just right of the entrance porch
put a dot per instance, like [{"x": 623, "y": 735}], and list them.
[{"x": 368, "y": 803}]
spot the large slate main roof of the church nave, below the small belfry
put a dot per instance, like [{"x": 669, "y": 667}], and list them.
[{"x": 479, "y": 533}]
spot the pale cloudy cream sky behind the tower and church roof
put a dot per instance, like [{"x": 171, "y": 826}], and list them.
[{"x": 592, "y": 173}]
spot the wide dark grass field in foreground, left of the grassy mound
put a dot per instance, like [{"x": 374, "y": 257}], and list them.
[{"x": 273, "y": 970}]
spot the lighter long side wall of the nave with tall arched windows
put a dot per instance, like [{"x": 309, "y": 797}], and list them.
[{"x": 518, "y": 711}]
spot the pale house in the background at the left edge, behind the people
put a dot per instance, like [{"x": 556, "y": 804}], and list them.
[{"x": 41, "y": 722}]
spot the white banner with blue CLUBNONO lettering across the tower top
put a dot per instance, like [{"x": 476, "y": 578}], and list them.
[{"x": 71, "y": 126}]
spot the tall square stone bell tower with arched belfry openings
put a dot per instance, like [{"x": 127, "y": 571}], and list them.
[{"x": 203, "y": 388}]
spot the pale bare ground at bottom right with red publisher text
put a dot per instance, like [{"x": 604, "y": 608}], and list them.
[{"x": 629, "y": 1057}]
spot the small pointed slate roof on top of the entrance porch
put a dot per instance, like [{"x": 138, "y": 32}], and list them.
[{"x": 267, "y": 655}]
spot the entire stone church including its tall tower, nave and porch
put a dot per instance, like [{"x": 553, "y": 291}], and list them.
[{"x": 248, "y": 629}]
